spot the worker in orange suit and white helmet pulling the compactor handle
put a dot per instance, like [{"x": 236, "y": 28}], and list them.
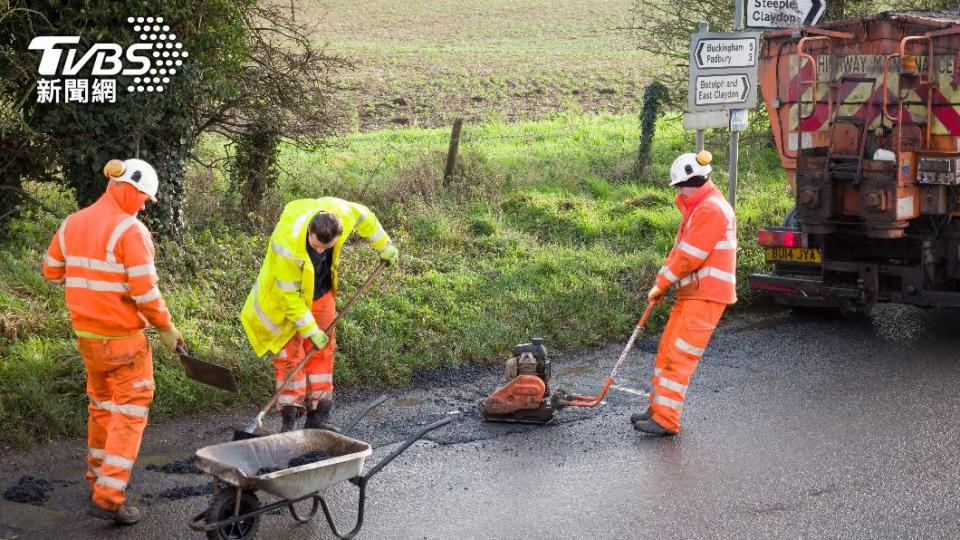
[{"x": 703, "y": 262}]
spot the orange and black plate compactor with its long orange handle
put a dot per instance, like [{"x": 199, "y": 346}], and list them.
[{"x": 526, "y": 397}]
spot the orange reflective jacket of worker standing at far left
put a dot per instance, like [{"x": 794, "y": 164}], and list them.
[{"x": 105, "y": 258}]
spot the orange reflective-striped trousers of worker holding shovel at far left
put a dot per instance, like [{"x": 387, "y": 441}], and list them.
[{"x": 120, "y": 387}]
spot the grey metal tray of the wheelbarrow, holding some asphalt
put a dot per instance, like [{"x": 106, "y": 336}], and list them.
[{"x": 237, "y": 462}]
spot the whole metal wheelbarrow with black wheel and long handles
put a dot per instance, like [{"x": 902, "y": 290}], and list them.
[{"x": 241, "y": 468}]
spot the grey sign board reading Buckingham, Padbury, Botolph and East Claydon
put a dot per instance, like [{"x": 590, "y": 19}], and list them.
[{"x": 723, "y": 71}]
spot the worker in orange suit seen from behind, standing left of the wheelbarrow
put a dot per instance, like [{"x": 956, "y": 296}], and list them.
[{"x": 103, "y": 255}]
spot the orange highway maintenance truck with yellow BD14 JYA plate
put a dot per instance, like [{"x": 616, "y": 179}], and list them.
[{"x": 865, "y": 114}]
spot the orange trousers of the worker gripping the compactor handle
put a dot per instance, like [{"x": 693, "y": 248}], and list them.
[{"x": 681, "y": 346}]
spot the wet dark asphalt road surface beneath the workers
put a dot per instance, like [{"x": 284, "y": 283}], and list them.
[{"x": 794, "y": 427}]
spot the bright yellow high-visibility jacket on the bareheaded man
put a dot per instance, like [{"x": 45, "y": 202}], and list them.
[{"x": 279, "y": 302}]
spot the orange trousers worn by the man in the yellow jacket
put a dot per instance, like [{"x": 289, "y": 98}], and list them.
[{"x": 315, "y": 381}]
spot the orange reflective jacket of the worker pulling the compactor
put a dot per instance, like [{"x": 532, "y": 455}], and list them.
[{"x": 704, "y": 256}]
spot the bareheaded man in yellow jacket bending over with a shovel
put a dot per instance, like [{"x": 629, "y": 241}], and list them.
[{"x": 293, "y": 299}]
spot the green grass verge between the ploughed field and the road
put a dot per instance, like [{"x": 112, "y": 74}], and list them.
[{"x": 542, "y": 231}]
